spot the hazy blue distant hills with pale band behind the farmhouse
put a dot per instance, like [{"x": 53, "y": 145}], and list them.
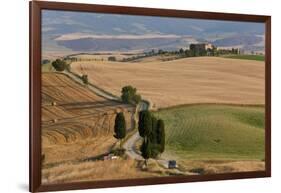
[{"x": 90, "y": 32}]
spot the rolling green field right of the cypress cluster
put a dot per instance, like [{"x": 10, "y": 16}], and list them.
[{"x": 219, "y": 132}]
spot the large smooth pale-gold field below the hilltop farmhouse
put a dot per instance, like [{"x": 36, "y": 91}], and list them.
[{"x": 182, "y": 81}]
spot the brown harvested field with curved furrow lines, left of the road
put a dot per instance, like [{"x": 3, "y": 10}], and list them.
[{"x": 76, "y": 123}]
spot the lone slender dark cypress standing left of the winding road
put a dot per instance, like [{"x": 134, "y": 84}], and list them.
[{"x": 120, "y": 127}]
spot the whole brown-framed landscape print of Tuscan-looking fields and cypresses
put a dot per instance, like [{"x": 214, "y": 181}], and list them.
[{"x": 123, "y": 96}]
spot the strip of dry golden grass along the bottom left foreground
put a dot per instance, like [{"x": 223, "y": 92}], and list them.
[{"x": 98, "y": 170}]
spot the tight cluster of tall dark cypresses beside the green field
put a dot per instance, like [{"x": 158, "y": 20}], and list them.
[{"x": 152, "y": 130}]
